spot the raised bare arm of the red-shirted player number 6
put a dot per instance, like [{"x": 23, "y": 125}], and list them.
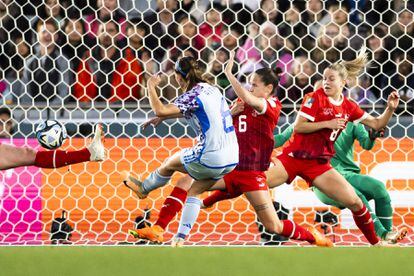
[{"x": 257, "y": 103}]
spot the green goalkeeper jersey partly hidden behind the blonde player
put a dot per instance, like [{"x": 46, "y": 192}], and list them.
[{"x": 343, "y": 160}]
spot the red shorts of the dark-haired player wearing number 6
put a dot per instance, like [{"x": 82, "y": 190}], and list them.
[{"x": 239, "y": 182}]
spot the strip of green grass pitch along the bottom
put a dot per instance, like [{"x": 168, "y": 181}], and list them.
[{"x": 117, "y": 261}]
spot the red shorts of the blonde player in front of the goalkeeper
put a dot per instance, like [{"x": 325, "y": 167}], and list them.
[{"x": 308, "y": 169}]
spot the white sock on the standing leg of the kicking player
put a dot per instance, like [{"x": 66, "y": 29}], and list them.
[{"x": 189, "y": 216}]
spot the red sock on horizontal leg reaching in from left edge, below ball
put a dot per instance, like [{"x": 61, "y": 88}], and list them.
[{"x": 60, "y": 158}]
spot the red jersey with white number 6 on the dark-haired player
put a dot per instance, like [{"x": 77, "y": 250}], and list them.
[{"x": 255, "y": 135}]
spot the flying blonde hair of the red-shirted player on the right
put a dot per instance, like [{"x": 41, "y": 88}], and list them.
[{"x": 349, "y": 70}]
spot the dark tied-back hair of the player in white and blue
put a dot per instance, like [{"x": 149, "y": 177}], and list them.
[{"x": 191, "y": 71}]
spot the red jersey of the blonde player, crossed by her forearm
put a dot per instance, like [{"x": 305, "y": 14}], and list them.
[{"x": 318, "y": 107}]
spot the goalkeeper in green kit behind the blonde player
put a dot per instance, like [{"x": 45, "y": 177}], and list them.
[{"x": 366, "y": 187}]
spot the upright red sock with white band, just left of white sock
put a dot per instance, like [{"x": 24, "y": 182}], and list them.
[{"x": 172, "y": 205}]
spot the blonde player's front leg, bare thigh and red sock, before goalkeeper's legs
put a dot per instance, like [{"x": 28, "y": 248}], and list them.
[{"x": 335, "y": 186}]
